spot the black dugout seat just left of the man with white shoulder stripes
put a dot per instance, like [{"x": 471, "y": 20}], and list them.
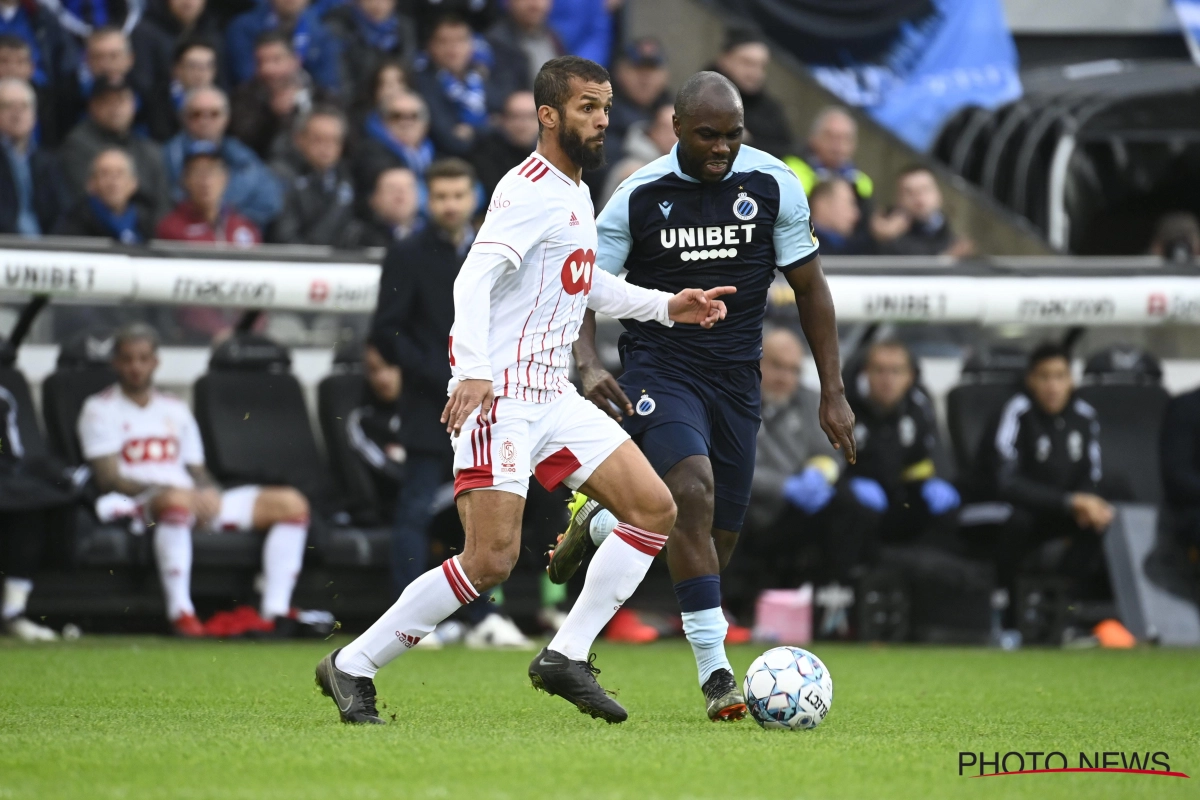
[{"x": 989, "y": 380}]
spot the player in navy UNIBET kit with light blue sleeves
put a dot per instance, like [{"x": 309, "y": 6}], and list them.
[{"x": 710, "y": 213}]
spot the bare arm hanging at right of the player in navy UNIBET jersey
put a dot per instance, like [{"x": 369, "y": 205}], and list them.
[{"x": 820, "y": 324}]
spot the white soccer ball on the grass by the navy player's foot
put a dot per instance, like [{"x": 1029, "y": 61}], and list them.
[{"x": 789, "y": 688}]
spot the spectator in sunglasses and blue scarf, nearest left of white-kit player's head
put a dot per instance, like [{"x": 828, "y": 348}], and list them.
[{"x": 394, "y": 136}]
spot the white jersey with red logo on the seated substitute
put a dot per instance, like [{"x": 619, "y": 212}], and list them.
[{"x": 154, "y": 444}]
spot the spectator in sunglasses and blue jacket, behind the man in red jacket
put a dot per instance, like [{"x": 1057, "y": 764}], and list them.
[{"x": 254, "y": 189}]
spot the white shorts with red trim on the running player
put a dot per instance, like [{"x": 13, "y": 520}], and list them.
[{"x": 562, "y": 442}]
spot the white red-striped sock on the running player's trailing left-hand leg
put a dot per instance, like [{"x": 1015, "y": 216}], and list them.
[{"x": 425, "y": 603}]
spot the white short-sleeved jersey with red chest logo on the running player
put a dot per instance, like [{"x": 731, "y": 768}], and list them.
[{"x": 544, "y": 224}]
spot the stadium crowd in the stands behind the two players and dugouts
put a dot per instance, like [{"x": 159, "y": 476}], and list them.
[{"x": 290, "y": 122}]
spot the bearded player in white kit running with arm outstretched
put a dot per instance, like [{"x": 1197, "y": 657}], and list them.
[{"x": 520, "y": 299}]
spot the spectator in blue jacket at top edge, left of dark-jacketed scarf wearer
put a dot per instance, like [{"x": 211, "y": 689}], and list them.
[{"x": 320, "y": 52}]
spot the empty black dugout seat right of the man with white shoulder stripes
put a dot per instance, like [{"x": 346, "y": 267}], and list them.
[{"x": 1125, "y": 386}]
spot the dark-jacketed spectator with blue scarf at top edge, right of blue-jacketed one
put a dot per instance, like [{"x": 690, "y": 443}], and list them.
[{"x": 370, "y": 32}]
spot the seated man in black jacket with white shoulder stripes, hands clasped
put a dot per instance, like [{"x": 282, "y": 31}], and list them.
[{"x": 1043, "y": 458}]
